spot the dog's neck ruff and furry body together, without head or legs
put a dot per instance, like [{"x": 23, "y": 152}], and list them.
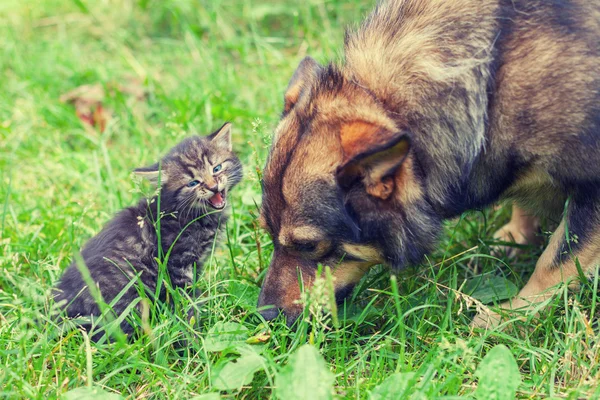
[{"x": 518, "y": 78}]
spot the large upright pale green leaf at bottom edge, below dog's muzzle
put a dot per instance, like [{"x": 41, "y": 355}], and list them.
[{"x": 305, "y": 377}]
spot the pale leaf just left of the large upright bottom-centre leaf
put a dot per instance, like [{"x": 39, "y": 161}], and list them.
[{"x": 236, "y": 373}]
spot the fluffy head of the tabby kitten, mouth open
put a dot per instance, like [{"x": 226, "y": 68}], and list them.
[{"x": 198, "y": 173}]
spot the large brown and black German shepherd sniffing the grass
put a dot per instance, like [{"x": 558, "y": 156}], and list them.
[{"x": 438, "y": 107}]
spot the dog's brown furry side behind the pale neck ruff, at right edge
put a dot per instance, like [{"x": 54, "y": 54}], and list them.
[{"x": 547, "y": 89}]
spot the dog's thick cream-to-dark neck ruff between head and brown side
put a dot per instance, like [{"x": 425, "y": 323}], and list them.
[{"x": 434, "y": 60}]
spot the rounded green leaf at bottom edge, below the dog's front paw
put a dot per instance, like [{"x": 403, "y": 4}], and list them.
[{"x": 498, "y": 375}]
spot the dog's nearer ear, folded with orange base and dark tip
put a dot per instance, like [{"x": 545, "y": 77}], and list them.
[{"x": 372, "y": 154}]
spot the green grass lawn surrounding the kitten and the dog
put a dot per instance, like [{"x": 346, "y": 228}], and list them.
[{"x": 204, "y": 62}]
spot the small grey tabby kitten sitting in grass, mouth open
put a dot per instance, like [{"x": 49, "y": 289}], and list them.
[{"x": 195, "y": 178}]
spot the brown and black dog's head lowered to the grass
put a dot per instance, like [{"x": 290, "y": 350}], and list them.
[{"x": 335, "y": 186}]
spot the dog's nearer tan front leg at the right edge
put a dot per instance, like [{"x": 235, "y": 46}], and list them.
[{"x": 557, "y": 263}]
